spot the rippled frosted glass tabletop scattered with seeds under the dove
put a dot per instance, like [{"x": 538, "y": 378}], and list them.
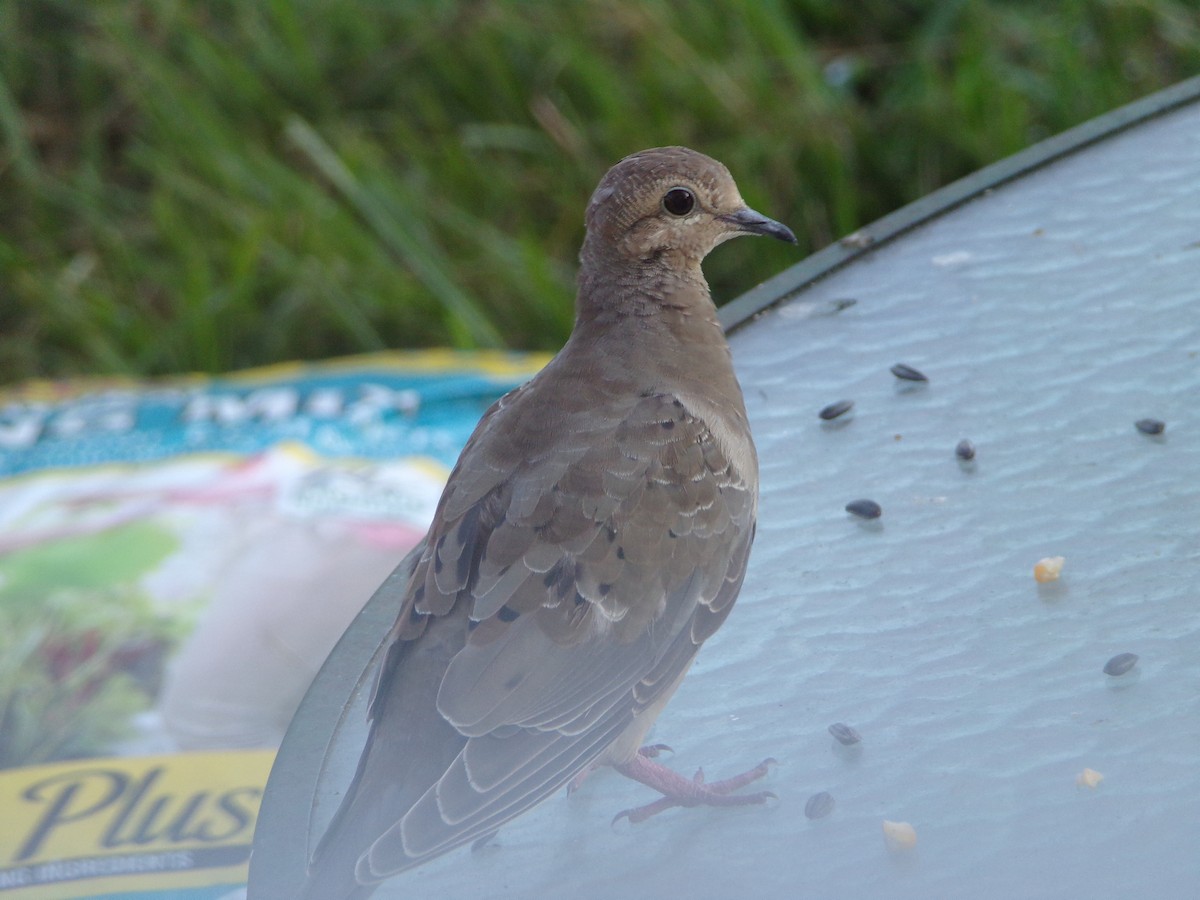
[{"x": 1052, "y": 301}]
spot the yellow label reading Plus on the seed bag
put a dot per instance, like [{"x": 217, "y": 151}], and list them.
[{"x": 129, "y": 825}]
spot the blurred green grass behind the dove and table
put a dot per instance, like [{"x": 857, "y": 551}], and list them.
[{"x": 194, "y": 185}]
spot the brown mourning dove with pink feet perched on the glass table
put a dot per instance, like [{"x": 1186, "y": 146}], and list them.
[{"x": 592, "y": 537}]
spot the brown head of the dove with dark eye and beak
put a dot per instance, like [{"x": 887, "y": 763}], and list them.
[{"x": 669, "y": 205}]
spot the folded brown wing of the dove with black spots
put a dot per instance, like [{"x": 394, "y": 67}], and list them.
[{"x": 557, "y": 598}]
